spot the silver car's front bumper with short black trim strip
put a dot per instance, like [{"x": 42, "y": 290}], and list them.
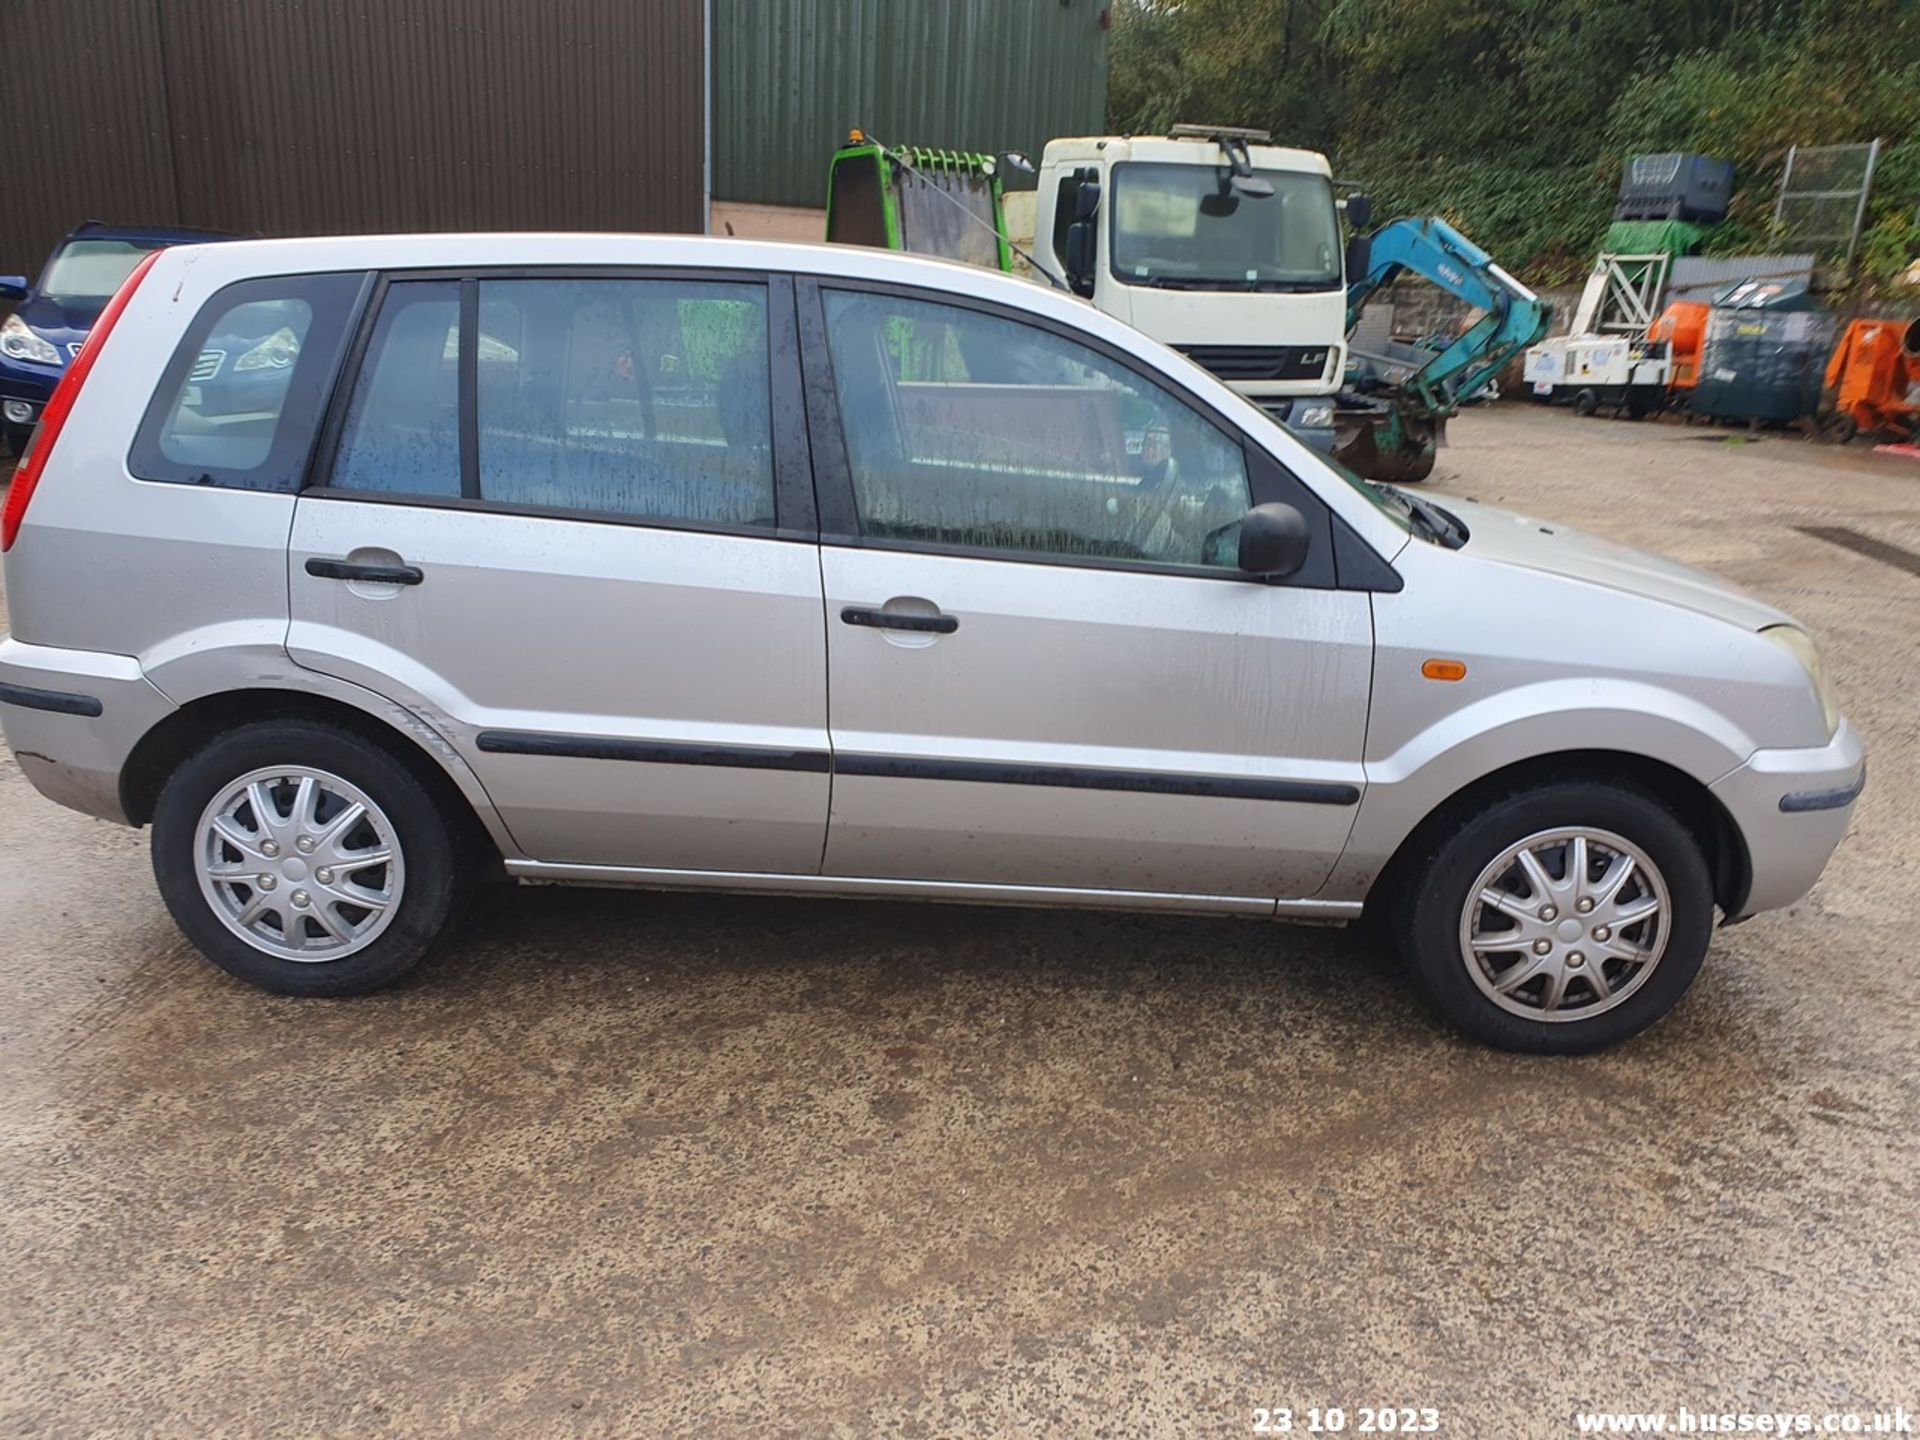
[{"x": 1792, "y": 811}]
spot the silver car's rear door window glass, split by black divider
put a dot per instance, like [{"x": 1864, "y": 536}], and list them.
[{"x": 636, "y": 398}]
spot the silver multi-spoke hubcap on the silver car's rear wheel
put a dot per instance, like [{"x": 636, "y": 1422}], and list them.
[{"x": 300, "y": 865}]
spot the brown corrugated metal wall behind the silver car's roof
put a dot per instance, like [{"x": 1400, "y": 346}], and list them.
[{"x": 339, "y": 116}]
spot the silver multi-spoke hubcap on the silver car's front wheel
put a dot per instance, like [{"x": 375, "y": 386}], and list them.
[{"x": 1566, "y": 924}]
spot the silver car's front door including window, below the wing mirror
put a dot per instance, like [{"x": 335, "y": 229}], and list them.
[{"x": 1045, "y": 669}]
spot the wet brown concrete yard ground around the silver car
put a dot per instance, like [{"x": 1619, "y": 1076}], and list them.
[{"x": 629, "y": 1164}]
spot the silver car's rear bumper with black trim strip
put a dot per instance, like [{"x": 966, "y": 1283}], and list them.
[{"x": 72, "y": 719}]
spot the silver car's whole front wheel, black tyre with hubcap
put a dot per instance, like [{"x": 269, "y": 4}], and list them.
[{"x": 1556, "y": 921}]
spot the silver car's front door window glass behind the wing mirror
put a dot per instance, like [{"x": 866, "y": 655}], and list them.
[{"x": 976, "y": 431}]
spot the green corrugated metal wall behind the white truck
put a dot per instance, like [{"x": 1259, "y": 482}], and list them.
[{"x": 794, "y": 76}]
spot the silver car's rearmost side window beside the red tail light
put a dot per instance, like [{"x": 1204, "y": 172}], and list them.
[{"x": 245, "y": 393}]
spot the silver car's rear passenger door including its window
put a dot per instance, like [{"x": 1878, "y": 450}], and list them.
[{"x": 564, "y": 525}]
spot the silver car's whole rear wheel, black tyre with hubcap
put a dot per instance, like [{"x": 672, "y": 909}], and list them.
[{"x": 306, "y": 859}]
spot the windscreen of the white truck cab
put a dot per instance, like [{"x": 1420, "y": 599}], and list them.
[{"x": 1186, "y": 228}]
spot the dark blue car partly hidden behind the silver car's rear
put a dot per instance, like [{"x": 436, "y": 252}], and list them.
[{"x": 53, "y": 318}]
